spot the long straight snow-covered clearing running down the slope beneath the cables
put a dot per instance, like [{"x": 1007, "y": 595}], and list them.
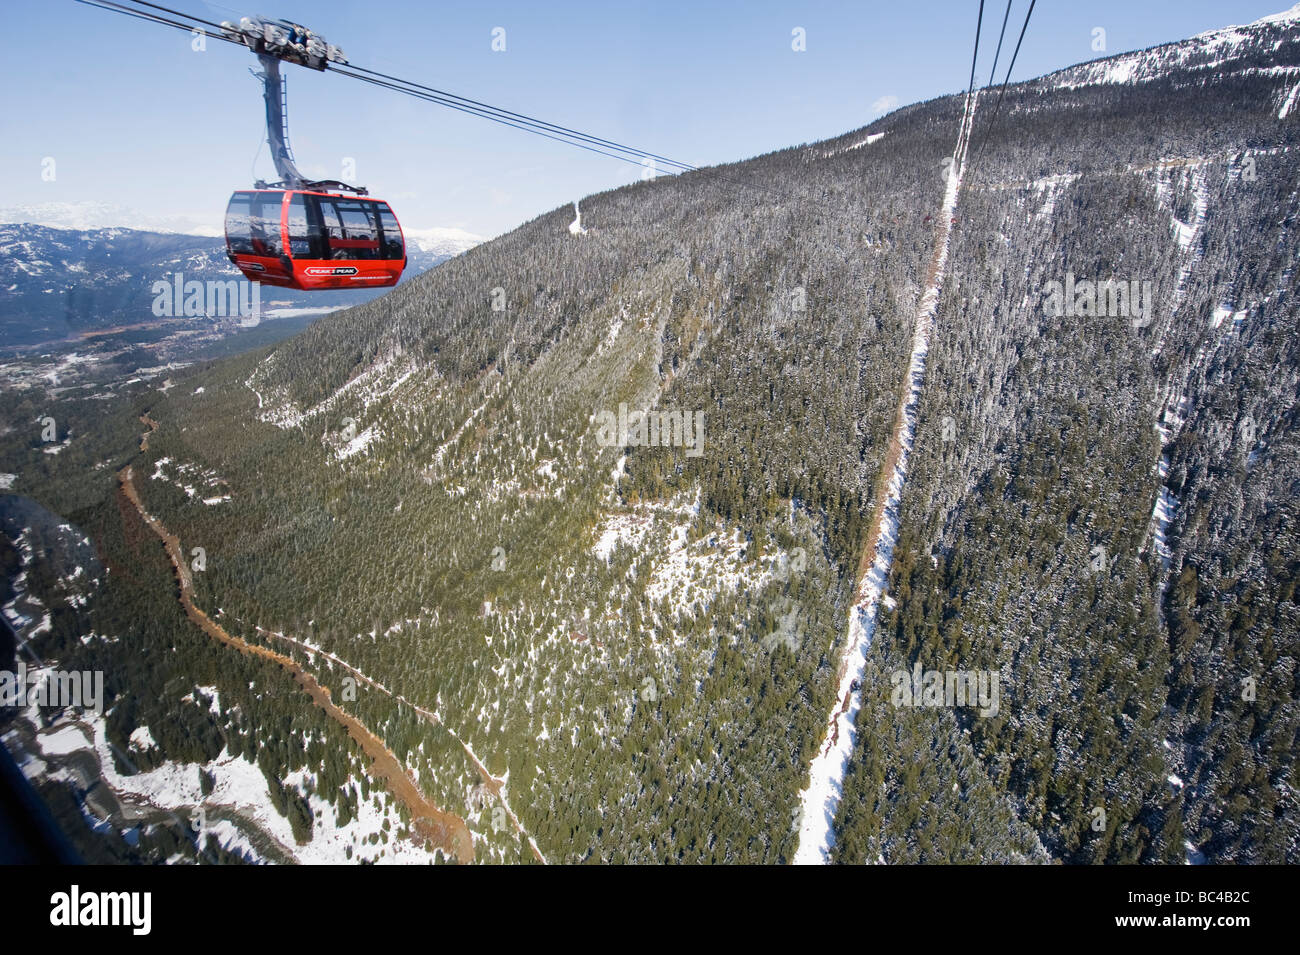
[{"x": 821, "y": 798}]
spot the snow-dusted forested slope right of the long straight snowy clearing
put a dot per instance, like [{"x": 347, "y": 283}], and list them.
[{"x": 1147, "y": 654}]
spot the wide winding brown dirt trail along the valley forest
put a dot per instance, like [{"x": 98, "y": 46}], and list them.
[{"x": 443, "y": 830}]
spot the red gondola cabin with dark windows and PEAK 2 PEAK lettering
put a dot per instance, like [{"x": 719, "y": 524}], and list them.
[{"x": 305, "y": 240}]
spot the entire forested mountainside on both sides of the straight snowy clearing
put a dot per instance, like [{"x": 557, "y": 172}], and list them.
[{"x": 642, "y": 639}]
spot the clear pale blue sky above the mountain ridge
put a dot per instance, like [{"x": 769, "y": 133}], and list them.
[{"x": 133, "y": 116}]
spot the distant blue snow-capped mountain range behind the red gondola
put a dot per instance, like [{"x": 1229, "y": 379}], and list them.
[{"x": 67, "y": 274}]
